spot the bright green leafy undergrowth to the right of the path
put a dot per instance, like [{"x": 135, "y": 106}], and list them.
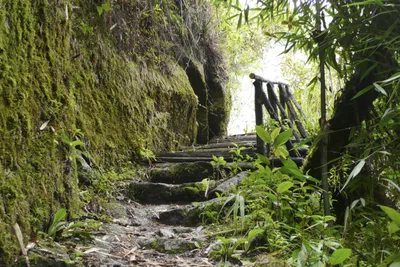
[{"x": 278, "y": 218}]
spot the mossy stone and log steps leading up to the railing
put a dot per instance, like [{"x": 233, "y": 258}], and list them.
[{"x": 176, "y": 177}]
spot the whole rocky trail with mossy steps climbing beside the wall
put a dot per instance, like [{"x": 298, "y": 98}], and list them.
[{"x": 158, "y": 222}]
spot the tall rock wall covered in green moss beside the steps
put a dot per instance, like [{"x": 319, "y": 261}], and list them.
[{"x": 111, "y": 80}]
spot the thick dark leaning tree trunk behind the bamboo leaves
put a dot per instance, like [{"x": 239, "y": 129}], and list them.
[{"x": 349, "y": 114}]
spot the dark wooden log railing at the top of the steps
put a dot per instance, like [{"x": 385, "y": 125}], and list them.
[{"x": 286, "y": 104}]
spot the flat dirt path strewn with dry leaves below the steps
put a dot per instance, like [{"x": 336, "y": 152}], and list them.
[{"x": 137, "y": 238}]
